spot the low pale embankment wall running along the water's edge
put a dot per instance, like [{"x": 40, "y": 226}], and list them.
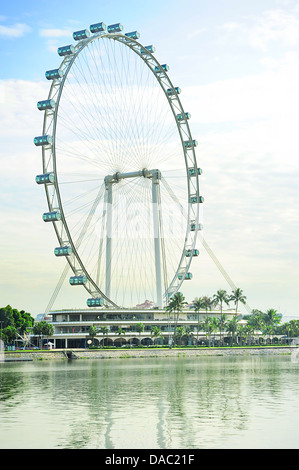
[{"x": 140, "y": 353}]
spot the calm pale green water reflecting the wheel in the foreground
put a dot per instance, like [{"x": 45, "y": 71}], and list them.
[{"x": 198, "y": 403}]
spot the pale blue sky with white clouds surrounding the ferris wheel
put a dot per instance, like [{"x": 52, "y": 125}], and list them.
[{"x": 237, "y": 63}]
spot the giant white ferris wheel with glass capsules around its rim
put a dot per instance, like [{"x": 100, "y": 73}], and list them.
[{"x": 119, "y": 170}]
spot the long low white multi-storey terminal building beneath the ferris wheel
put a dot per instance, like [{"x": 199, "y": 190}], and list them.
[{"x": 72, "y": 327}]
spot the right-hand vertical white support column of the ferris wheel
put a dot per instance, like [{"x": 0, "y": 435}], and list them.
[{"x": 156, "y": 208}]
